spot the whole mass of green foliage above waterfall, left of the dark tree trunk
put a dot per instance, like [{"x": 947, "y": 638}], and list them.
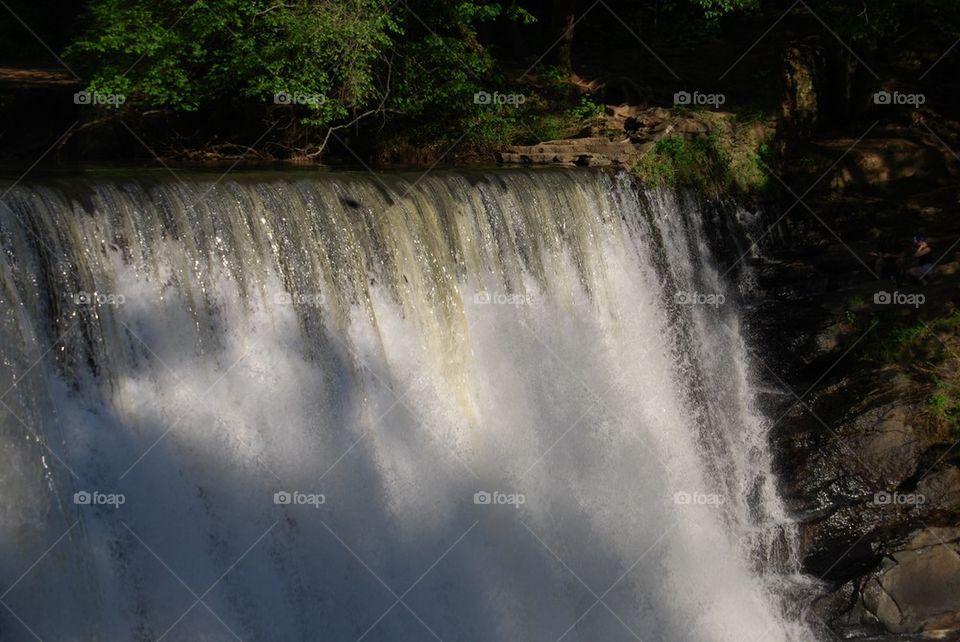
[{"x": 330, "y": 61}]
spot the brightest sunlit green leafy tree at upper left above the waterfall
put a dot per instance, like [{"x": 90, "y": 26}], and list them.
[{"x": 178, "y": 54}]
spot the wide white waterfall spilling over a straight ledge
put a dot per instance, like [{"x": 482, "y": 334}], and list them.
[{"x": 474, "y": 405}]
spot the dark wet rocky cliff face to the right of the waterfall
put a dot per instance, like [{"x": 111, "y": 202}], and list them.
[{"x": 878, "y": 498}]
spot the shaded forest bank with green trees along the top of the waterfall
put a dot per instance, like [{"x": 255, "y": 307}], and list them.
[{"x": 318, "y": 81}]
